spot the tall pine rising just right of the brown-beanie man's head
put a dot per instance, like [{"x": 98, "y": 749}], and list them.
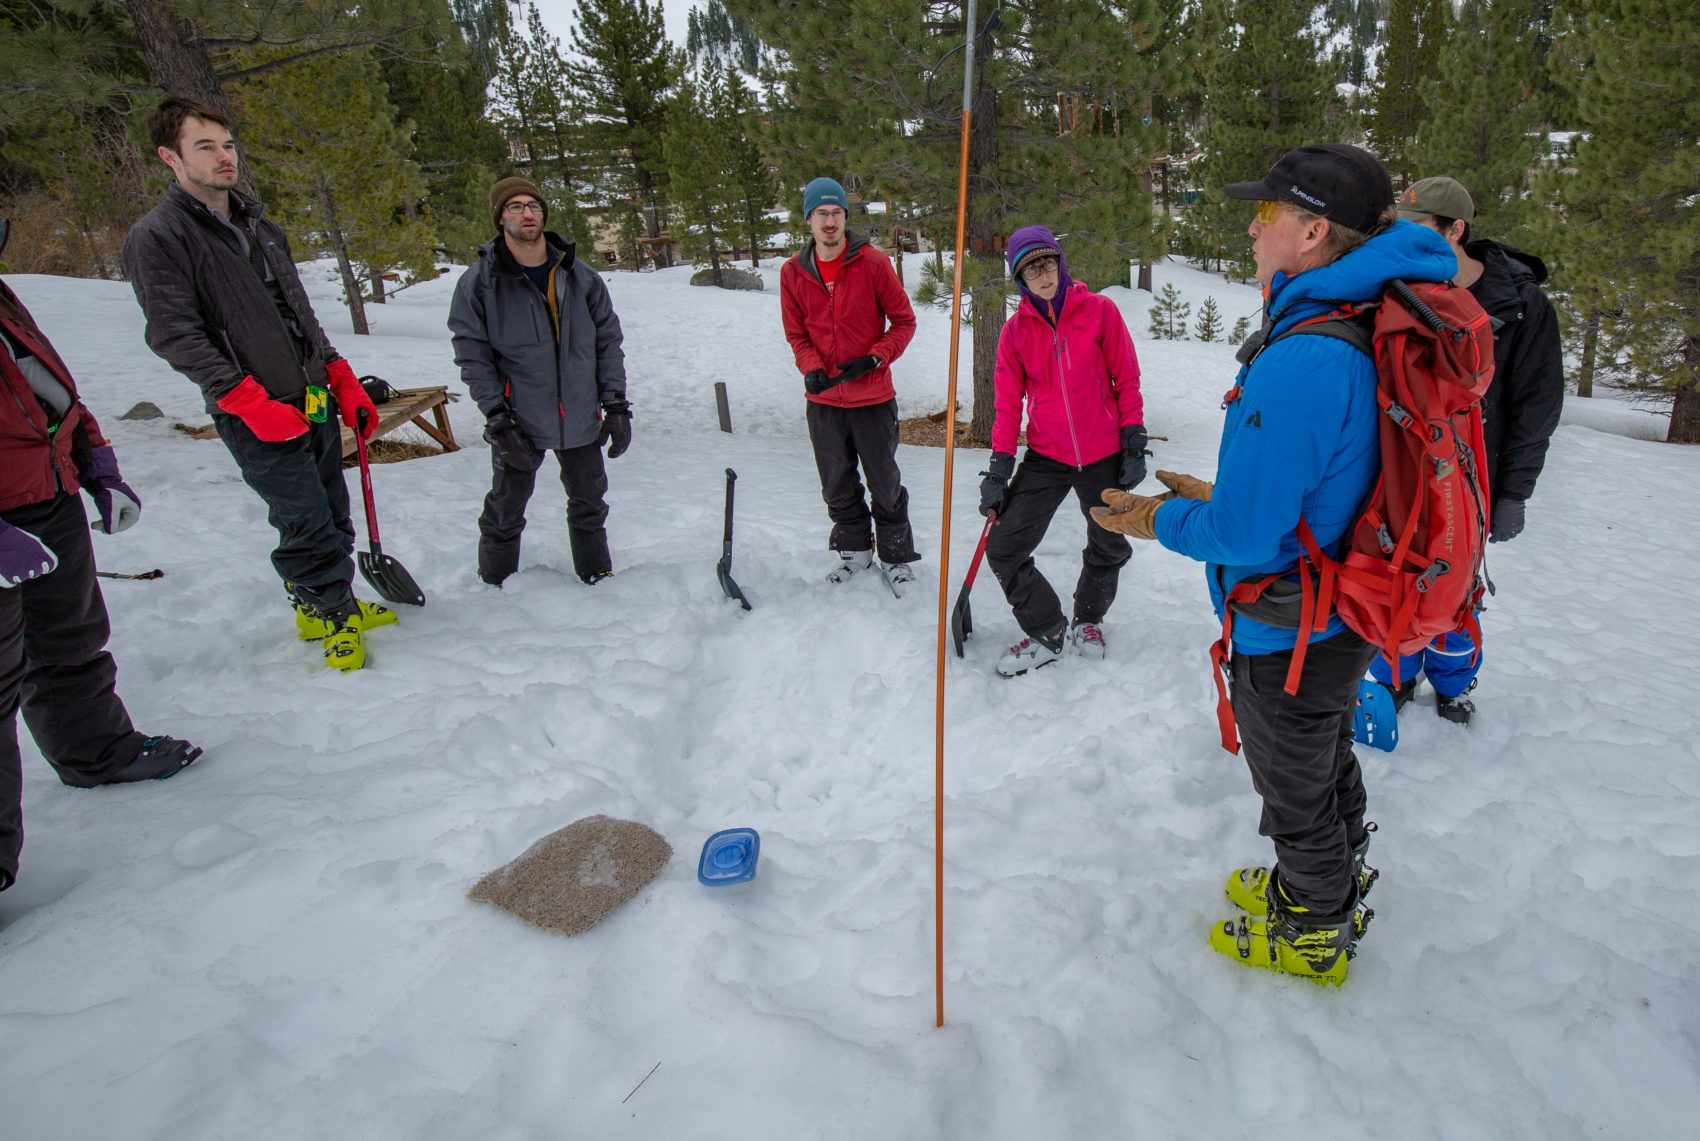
[{"x": 621, "y": 91}]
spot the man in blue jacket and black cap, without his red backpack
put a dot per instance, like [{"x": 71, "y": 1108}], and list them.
[{"x": 1300, "y": 441}]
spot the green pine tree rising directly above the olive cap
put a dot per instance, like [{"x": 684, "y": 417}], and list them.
[{"x": 1483, "y": 115}]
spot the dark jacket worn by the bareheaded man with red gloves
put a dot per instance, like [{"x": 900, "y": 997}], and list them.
[{"x": 210, "y": 314}]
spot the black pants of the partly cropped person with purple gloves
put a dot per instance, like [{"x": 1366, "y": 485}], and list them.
[{"x": 55, "y": 667}]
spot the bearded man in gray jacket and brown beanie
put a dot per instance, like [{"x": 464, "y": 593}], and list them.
[{"x": 540, "y": 348}]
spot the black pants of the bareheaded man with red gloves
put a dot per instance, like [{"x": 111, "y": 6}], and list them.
[{"x": 307, "y": 502}]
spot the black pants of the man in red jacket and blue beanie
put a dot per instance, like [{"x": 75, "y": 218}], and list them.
[{"x": 866, "y": 436}]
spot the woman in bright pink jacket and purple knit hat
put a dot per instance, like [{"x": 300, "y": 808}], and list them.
[{"x": 1068, "y": 358}]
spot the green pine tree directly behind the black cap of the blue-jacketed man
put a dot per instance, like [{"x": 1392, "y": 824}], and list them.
[{"x": 1269, "y": 88}]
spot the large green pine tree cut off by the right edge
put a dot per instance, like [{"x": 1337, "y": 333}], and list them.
[{"x": 1636, "y": 190}]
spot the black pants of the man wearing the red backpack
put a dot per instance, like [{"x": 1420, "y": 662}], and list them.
[{"x": 1303, "y": 766}]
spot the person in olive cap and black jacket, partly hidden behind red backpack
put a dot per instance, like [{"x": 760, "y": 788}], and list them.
[{"x": 1521, "y": 411}]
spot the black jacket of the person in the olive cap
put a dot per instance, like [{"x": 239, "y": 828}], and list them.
[{"x": 1522, "y": 406}]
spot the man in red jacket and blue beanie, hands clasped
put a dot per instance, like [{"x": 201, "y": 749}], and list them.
[{"x": 847, "y": 319}]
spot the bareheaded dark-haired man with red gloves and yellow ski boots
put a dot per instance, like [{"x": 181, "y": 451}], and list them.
[{"x": 227, "y": 309}]
